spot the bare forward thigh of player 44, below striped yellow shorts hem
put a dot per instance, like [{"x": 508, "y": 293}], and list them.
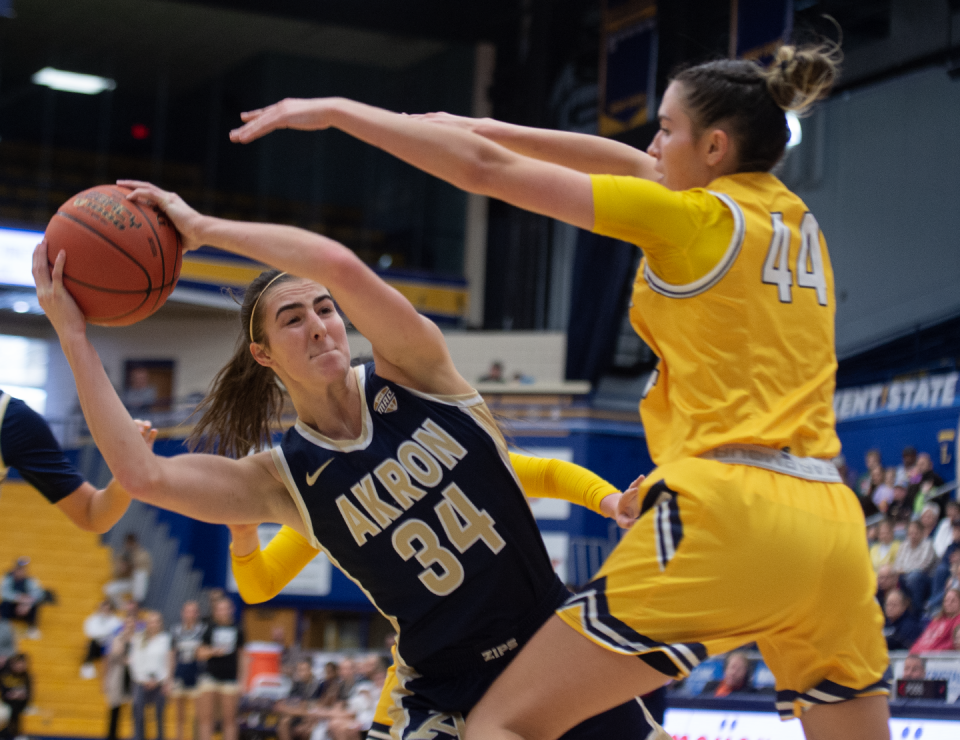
[{"x": 559, "y": 679}]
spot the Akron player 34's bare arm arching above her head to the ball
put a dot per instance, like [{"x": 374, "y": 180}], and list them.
[{"x": 408, "y": 348}]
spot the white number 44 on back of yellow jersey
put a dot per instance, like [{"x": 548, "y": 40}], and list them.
[{"x": 809, "y": 265}]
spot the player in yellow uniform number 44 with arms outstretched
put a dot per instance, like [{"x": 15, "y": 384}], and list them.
[{"x": 745, "y": 532}]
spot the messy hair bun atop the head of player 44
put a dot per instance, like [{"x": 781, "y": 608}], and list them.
[{"x": 798, "y": 76}]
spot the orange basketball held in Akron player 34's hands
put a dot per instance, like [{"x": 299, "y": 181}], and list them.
[{"x": 123, "y": 258}]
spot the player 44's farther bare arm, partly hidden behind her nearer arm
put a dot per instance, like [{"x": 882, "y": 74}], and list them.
[{"x": 594, "y": 155}]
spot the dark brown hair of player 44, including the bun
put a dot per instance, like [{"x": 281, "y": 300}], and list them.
[{"x": 750, "y": 100}]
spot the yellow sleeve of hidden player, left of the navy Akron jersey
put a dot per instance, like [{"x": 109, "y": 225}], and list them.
[{"x": 263, "y": 573}]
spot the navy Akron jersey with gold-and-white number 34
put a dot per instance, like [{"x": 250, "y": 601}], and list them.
[{"x": 424, "y": 513}]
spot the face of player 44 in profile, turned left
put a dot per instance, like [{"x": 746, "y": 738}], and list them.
[{"x": 679, "y": 152}]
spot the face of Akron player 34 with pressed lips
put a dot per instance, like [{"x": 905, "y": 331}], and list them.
[{"x": 306, "y": 338}]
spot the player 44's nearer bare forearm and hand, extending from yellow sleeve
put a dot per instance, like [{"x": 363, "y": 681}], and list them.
[{"x": 460, "y": 157}]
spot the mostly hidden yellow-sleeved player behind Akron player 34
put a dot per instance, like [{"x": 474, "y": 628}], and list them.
[{"x": 261, "y": 574}]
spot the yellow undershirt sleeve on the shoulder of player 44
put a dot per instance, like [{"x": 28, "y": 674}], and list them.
[{"x": 683, "y": 234}]
